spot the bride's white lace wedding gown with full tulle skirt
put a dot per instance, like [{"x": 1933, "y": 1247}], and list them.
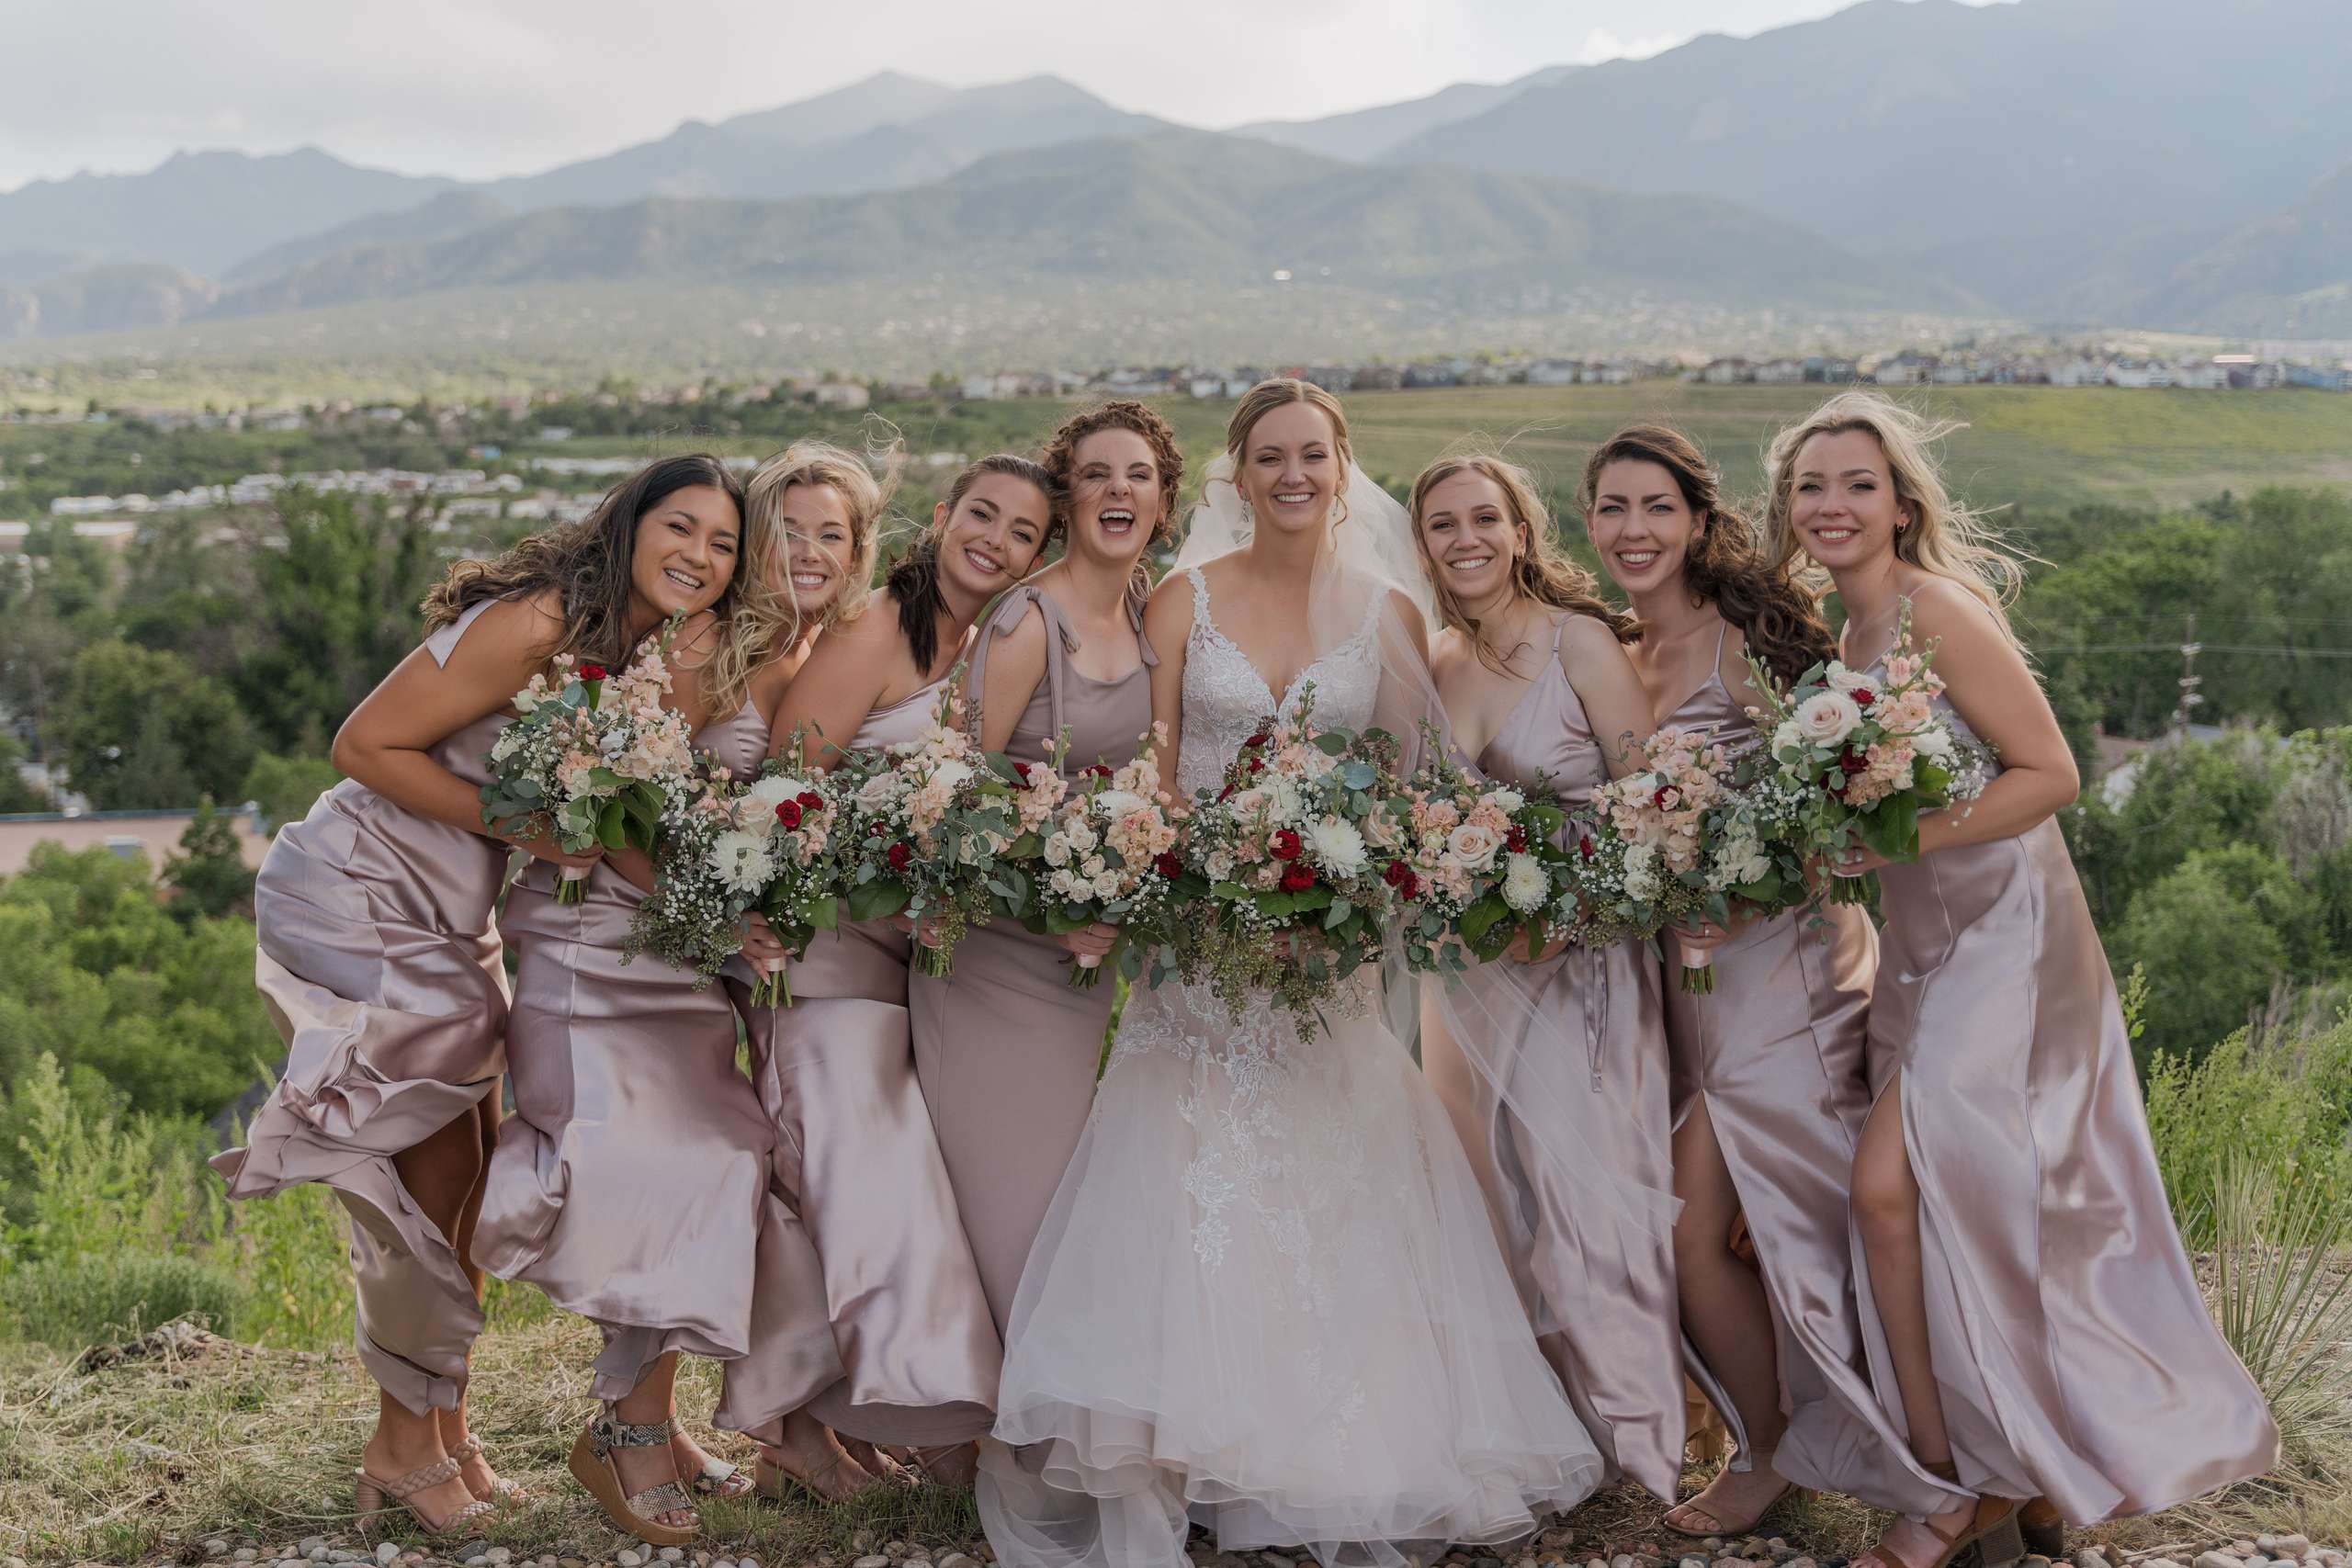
[{"x": 1269, "y": 1296}]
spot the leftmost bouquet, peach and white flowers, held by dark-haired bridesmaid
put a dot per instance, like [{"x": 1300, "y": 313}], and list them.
[{"x": 592, "y": 760}]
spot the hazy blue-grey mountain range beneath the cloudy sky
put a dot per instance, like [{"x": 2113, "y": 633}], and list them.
[{"x": 2134, "y": 163}]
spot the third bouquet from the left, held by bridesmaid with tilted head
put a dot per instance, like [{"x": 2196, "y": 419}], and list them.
[{"x": 928, "y": 831}]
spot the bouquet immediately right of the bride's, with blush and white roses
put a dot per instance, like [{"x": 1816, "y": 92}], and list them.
[{"x": 1481, "y": 866}]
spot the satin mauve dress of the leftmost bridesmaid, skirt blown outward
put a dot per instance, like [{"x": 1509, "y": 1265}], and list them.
[{"x": 380, "y": 963}]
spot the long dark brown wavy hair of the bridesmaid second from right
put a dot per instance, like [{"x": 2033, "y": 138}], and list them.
[{"x": 1725, "y": 565}]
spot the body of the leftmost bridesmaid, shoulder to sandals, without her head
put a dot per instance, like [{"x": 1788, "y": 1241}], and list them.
[{"x": 380, "y": 963}]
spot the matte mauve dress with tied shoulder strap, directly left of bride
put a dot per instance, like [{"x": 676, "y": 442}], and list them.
[{"x": 1008, "y": 1047}]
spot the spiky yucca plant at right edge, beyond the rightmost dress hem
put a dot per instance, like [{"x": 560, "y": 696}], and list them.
[{"x": 2285, "y": 1304}]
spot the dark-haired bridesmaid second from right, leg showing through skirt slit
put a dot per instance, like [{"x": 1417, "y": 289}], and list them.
[{"x": 1770, "y": 1087}]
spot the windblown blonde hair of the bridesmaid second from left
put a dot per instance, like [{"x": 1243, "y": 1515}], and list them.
[{"x": 770, "y": 615}]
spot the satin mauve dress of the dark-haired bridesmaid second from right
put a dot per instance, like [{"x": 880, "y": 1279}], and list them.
[{"x": 1777, "y": 1059}]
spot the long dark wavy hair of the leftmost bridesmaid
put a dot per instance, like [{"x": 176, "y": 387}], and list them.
[{"x": 587, "y": 565}]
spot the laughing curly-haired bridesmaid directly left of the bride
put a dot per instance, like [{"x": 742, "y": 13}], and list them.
[{"x": 1008, "y": 1047}]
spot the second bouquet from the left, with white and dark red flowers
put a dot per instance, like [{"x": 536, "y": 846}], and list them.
[{"x": 733, "y": 850}]
